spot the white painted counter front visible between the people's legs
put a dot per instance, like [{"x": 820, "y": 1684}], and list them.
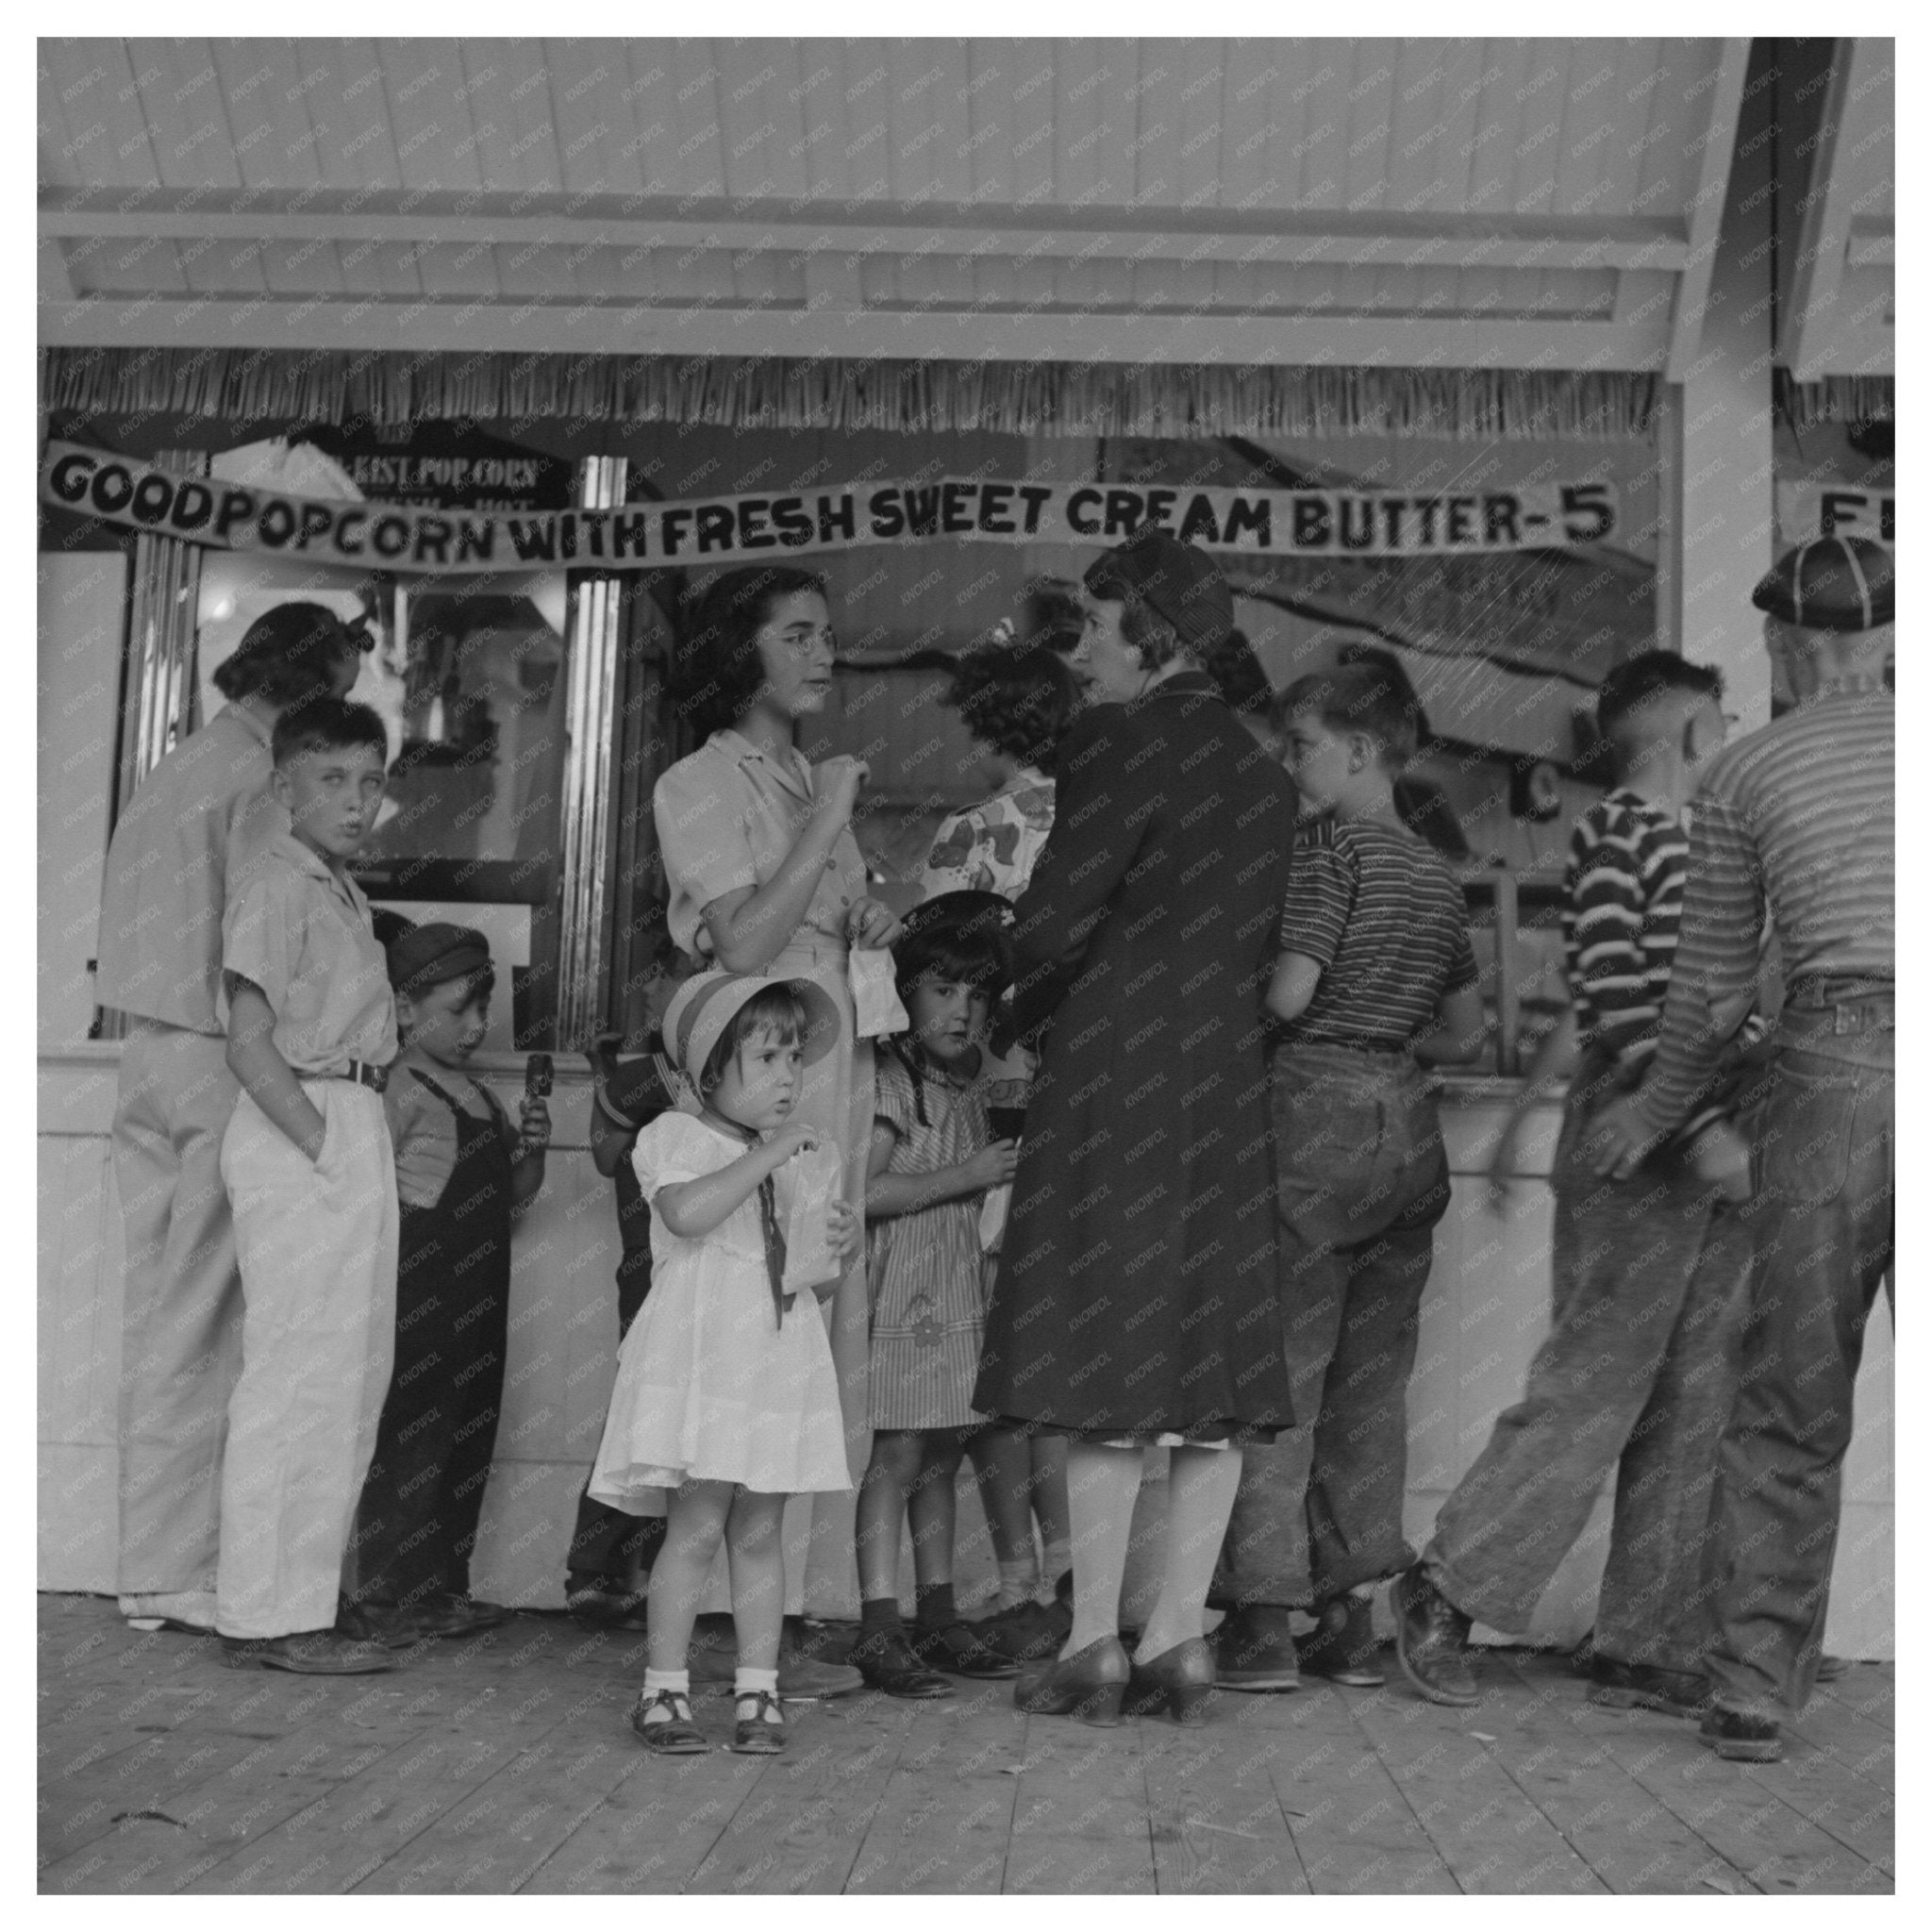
[{"x": 1483, "y": 1321}]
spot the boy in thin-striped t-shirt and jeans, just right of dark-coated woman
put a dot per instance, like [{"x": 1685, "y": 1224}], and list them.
[{"x": 1375, "y": 973}]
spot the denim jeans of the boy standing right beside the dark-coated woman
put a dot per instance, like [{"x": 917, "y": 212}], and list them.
[{"x": 1363, "y": 1181}]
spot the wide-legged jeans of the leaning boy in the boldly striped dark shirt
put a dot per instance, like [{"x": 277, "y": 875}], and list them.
[{"x": 1637, "y": 1375}]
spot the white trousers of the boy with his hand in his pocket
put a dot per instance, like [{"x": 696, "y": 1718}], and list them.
[{"x": 318, "y": 1251}]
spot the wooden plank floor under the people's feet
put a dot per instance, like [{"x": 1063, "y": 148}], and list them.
[{"x": 505, "y": 1765}]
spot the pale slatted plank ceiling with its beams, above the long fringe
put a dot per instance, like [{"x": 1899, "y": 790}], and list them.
[{"x": 805, "y": 132}]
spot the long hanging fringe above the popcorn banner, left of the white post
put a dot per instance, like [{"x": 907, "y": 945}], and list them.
[{"x": 838, "y": 393}]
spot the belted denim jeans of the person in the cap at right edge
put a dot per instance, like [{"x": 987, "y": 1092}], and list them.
[{"x": 1823, "y": 1220}]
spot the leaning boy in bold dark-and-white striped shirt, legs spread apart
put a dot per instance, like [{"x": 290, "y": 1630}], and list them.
[{"x": 1649, "y": 1274}]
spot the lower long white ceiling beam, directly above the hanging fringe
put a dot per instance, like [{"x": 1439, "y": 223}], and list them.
[{"x": 749, "y": 329}]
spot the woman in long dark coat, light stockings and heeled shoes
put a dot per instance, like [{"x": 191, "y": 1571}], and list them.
[{"x": 1137, "y": 1299}]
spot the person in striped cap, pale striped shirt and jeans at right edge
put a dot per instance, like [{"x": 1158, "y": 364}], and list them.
[{"x": 1798, "y": 818}]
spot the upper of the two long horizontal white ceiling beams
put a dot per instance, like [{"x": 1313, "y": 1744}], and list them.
[{"x": 859, "y": 229}]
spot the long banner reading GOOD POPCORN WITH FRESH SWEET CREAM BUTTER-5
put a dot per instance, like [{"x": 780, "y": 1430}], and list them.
[{"x": 708, "y": 530}]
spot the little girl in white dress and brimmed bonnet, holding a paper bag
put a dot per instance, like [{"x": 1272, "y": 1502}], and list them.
[{"x": 725, "y": 1398}]
